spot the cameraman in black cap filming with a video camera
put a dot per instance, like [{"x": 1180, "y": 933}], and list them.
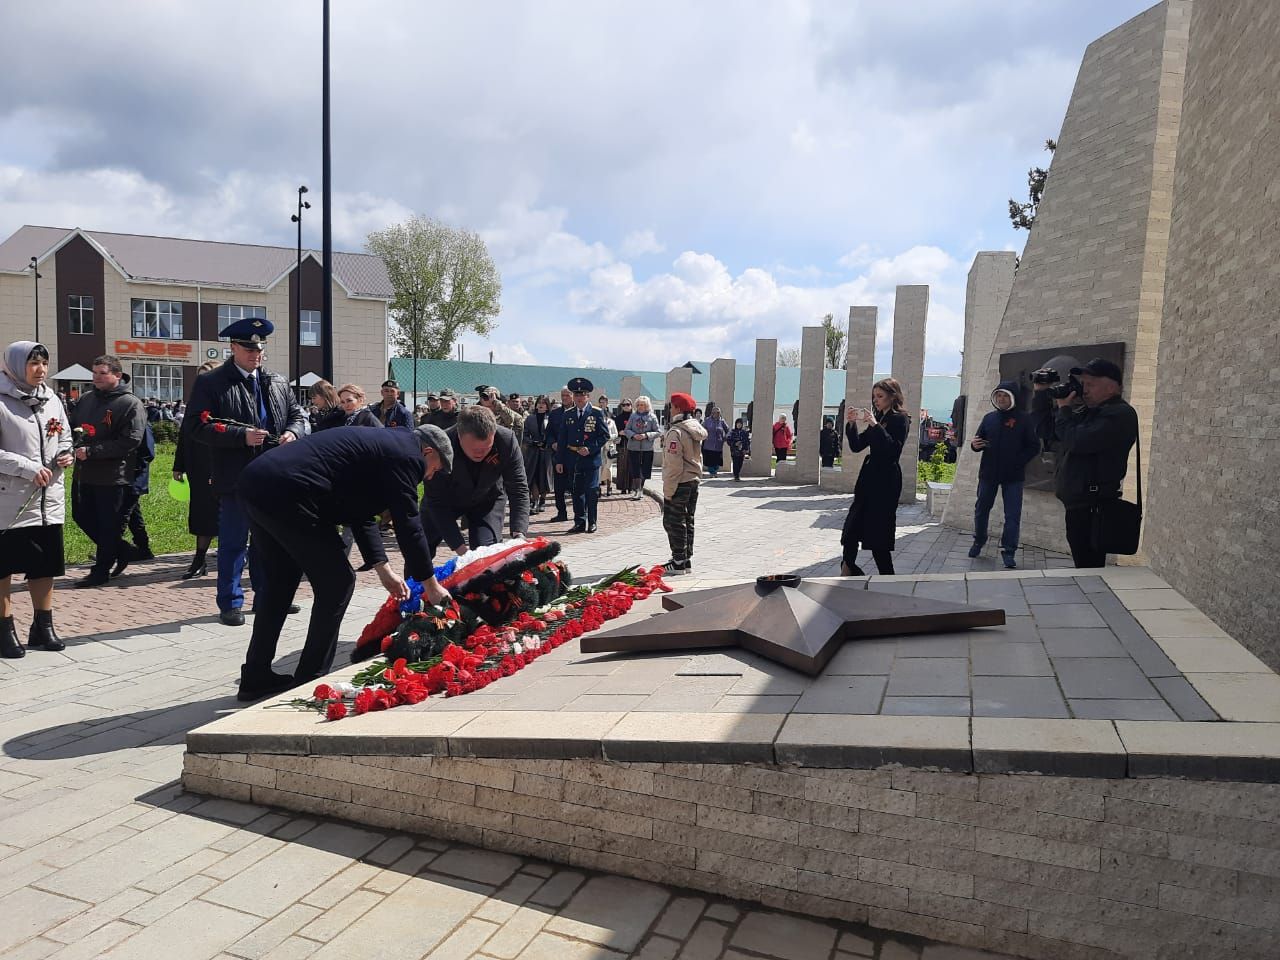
[{"x": 1092, "y": 432}]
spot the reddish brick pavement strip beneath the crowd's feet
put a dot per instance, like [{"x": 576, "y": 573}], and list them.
[{"x": 153, "y": 595}]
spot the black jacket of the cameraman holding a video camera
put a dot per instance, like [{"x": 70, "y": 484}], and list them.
[{"x": 1092, "y": 447}]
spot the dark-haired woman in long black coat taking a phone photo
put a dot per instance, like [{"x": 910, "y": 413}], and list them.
[{"x": 872, "y": 522}]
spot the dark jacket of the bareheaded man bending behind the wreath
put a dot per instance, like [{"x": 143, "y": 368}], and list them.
[{"x": 476, "y": 487}]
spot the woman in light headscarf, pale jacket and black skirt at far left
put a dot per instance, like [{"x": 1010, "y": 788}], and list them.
[{"x": 35, "y": 451}]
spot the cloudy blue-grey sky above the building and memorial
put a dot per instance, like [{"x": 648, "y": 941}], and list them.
[{"x": 657, "y": 181}]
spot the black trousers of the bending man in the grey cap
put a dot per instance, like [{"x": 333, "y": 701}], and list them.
[{"x": 291, "y": 543}]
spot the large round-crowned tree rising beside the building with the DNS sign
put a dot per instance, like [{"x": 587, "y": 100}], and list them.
[{"x": 445, "y": 281}]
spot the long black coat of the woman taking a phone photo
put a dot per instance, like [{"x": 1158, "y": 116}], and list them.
[{"x": 872, "y": 519}]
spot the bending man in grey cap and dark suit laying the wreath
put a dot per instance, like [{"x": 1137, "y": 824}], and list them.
[{"x": 296, "y": 499}]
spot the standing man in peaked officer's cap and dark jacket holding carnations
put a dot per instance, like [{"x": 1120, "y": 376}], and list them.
[{"x": 266, "y": 415}]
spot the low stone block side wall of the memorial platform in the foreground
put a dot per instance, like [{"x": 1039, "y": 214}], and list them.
[{"x": 1043, "y": 867}]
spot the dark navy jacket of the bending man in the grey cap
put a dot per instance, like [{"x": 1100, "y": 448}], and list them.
[{"x": 348, "y": 478}]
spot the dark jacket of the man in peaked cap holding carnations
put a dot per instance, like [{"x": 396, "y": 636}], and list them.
[{"x": 227, "y": 394}]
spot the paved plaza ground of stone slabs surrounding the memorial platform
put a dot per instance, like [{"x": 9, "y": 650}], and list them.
[{"x": 106, "y": 857}]
